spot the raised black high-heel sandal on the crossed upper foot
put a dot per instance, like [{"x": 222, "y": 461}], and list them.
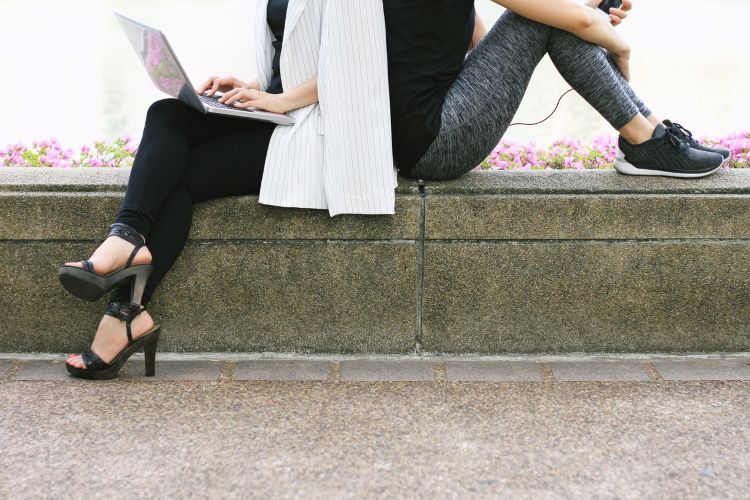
[{"x": 85, "y": 284}]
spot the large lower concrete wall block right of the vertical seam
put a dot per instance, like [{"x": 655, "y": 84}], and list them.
[{"x": 553, "y": 297}]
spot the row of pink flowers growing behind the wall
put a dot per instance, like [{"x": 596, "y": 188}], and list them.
[{"x": 564, "y": 154}]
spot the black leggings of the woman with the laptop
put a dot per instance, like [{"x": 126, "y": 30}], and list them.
[{"x": 186, "y": 157}]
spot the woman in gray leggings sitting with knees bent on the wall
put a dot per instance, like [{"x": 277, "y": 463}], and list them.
[{"x": 450, "y": 110}]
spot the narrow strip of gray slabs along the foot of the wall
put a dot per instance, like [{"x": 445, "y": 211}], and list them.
[{"x": 403, "y": 369}]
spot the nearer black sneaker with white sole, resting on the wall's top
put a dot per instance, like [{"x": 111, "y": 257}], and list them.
[{"x": 666, "y": 154}]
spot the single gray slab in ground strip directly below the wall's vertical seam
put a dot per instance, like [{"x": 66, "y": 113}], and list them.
[{"x": 387, "y": 371}]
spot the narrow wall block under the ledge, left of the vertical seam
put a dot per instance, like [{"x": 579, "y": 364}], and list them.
[{"x": 87, "y": 216}]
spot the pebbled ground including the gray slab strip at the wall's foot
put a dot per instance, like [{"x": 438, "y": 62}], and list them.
[{"x": 664, "y": 428}]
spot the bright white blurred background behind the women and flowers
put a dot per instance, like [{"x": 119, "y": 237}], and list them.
[{"x": 69, "y": 72}]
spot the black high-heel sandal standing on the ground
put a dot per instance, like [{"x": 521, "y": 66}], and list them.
[{"x": 97, "y": 369}]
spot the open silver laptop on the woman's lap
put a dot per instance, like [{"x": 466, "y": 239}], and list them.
[{"x": 168, "y": 75}]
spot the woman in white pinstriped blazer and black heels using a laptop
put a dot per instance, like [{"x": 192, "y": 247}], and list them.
[{"x": 323, "y": 62}]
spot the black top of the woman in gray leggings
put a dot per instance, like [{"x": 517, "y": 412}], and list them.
[{"x": 427, "y": 42}]
